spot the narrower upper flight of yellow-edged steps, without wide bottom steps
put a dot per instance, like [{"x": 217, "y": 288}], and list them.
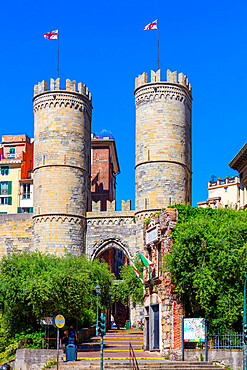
[{"x": 116, "y": 346}]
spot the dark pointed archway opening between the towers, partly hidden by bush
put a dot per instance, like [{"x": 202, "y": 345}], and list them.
[{"x": 115, "y": 255}]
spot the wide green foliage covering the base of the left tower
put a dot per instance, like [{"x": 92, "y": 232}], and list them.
[{"x": 36, "y": 285}]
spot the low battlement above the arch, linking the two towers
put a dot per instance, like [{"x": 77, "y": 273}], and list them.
[{"x": 111, "y": 209}]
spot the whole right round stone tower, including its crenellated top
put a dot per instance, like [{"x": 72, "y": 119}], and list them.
[{"x": 163, "y": 142}]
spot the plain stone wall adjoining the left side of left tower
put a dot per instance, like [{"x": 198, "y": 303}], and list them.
[{"x": 16, "y": 233}]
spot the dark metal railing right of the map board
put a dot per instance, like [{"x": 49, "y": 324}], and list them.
[{"x": 226, "y": 341}]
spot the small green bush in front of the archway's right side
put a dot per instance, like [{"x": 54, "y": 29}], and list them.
[{"x": 130, "y": 285}]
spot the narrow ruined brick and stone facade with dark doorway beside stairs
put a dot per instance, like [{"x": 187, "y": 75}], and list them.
[{"x": 163, "y": 308}]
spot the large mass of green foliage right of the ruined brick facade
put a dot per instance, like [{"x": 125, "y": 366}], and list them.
[{"x": 208, "y": 264}]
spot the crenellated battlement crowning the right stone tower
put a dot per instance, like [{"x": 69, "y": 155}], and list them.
[{"x": 171, "y": 77}]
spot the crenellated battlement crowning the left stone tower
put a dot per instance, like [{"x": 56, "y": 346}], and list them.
[{"x": 55, "y": 86}]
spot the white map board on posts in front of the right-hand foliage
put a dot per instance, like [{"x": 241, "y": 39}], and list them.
[{"x": 194, "y": 330}]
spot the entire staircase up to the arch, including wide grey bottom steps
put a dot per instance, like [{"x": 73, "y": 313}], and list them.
[{"x": 116, "y": 355}]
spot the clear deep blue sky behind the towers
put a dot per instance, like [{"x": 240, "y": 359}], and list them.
[{"x": 102, "y": 44}]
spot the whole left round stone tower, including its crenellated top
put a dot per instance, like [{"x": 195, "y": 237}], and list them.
[{"x": 62, "y": 151}]
